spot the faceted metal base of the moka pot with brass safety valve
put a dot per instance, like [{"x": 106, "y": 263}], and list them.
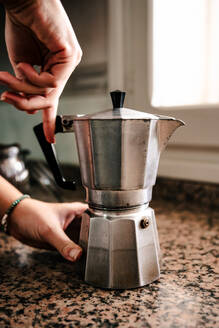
[{"x": 121, "y": 247}]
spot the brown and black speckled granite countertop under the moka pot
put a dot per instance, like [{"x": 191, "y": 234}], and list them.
[{"x": 40, "y": 289}]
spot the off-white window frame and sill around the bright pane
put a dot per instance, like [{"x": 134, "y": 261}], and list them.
[{"x": 193, "y": 151}]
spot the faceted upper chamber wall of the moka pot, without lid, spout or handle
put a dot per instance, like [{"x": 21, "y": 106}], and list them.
[{"x": 118, "y": 160}]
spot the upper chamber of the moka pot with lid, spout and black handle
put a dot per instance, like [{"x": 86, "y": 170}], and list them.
[{"x": 119, "y": 152}]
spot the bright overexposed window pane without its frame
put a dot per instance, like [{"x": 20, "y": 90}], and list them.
[{"x": 185, "y": 52}]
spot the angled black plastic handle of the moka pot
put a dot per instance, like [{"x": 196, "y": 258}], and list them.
[{"x": 50, "y": 154}]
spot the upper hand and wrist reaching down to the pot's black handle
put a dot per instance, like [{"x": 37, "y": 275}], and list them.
[{"x": 38, "y": 32}]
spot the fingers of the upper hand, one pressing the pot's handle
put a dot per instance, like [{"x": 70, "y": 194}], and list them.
[{"x": 34, "y": 91}]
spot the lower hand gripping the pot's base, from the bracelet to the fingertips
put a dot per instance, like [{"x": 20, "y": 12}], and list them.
[{"x": 43, "y": 225}]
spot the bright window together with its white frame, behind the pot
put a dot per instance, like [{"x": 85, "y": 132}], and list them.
[{"x": 170, "y": 66}]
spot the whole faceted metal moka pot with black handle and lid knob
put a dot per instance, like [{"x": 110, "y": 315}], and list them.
[{"x": 119, "y": 152}]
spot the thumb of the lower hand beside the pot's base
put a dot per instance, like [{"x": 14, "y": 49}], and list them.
[{"x": 64, "y": 245}]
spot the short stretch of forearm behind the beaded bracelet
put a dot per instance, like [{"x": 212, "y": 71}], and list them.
[{"x": 8, "y": 194}]
